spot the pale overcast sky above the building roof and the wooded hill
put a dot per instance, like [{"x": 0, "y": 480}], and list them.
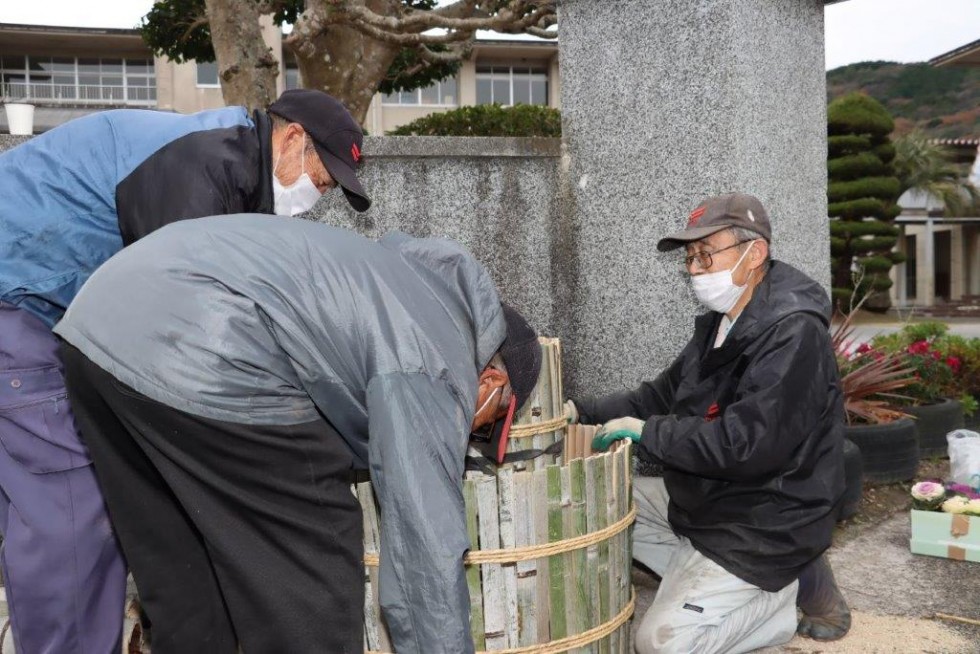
[{"x": 857, "y": 30}]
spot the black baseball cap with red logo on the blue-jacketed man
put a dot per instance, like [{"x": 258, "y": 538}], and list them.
[{"x": 336, "y": 136}]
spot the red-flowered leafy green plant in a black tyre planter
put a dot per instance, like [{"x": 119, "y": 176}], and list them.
[{"x": 934, "y": 396}]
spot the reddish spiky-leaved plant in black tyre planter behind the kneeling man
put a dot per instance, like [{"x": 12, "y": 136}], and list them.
[{"x": 883, "y": 433}]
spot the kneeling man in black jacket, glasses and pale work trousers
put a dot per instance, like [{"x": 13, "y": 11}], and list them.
[{"x": 747, "y": 424}]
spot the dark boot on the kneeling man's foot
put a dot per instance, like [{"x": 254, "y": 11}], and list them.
[{"x": 825, "y": 613}]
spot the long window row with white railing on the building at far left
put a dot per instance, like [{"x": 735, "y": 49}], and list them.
[{"x": 81, "y": 80}]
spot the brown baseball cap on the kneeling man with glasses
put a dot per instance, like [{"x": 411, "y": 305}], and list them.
[{"x": 718, "y": 213}]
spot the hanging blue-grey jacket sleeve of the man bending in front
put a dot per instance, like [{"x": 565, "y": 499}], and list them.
[{"x": 418, "y": 436}]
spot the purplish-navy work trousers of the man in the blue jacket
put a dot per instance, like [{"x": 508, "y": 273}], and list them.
[{"x": 64, "y": 576}]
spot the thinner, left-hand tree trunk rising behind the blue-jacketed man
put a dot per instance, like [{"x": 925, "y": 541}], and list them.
[{"x": 247, "y": 67}]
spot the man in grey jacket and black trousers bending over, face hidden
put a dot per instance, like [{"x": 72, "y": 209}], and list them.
[{"x": 227, "y": 375}]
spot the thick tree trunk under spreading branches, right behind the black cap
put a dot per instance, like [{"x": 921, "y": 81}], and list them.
[{"x": 344, "y": 63}]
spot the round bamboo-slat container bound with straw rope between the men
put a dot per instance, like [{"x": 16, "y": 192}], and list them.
[{"x": 549, "y": 568}]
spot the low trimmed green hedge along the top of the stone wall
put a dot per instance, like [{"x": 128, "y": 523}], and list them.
[{"x": 487, "y": 120}]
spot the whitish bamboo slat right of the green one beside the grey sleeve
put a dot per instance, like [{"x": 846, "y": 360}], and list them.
[{"x": 494, "y": 613}]
